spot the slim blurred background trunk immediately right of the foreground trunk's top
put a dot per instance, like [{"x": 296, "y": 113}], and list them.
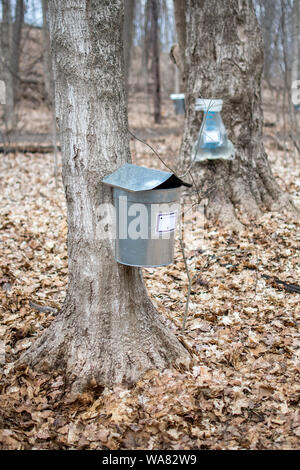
[{"x": 128, "y": 31}]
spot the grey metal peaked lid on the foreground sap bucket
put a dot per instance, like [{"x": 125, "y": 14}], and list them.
[{"x": 139, "y": 178}]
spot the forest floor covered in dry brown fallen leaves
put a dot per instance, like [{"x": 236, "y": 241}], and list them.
[{"x": 243, "y": 389}]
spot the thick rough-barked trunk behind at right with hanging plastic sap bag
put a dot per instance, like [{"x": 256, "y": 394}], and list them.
[{"x": 224, "y": 59}]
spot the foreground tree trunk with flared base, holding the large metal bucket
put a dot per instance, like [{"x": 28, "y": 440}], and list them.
[{"x": 108, "y": 330}]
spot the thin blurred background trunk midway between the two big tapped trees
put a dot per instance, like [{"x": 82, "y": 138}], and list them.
[{"x": 155, "y": 59}]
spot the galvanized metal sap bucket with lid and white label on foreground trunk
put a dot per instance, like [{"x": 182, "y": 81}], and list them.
[{"x": 147, "y": 209}]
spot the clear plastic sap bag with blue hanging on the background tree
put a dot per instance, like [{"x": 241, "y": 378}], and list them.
[{"x": 212, "y": 142}]
